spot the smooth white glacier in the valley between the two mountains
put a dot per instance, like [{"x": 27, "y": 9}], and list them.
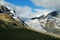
[{"x": 34, "y": 24}]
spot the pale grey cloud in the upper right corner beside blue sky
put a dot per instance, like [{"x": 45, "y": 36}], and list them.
[{"x": 47, "y": 3}]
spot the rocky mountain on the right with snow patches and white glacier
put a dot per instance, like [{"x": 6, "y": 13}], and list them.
[{"x": 46, "y": 23}]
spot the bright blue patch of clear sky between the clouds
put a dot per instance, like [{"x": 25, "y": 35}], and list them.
[{"x": 24, "y": 3}]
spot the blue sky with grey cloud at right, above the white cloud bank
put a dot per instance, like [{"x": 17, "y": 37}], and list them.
[{"x": 40, "y": 4}]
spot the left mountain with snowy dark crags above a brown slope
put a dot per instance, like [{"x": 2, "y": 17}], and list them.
[{"x": 8, "y": 19}]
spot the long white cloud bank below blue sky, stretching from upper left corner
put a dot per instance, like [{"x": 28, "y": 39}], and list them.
[{"x": 25, "y": 11}]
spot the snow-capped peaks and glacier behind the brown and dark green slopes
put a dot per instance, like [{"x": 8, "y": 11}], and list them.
[{"x": 39, "y": 22}]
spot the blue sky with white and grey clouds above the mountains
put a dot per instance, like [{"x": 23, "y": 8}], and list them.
[{"x": 32, "y": 8}]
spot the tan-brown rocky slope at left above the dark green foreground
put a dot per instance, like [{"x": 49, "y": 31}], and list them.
[{"x": 7, "y": 21}]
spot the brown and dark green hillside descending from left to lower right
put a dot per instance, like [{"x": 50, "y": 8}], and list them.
[{"x": 15, "y": 29}]
